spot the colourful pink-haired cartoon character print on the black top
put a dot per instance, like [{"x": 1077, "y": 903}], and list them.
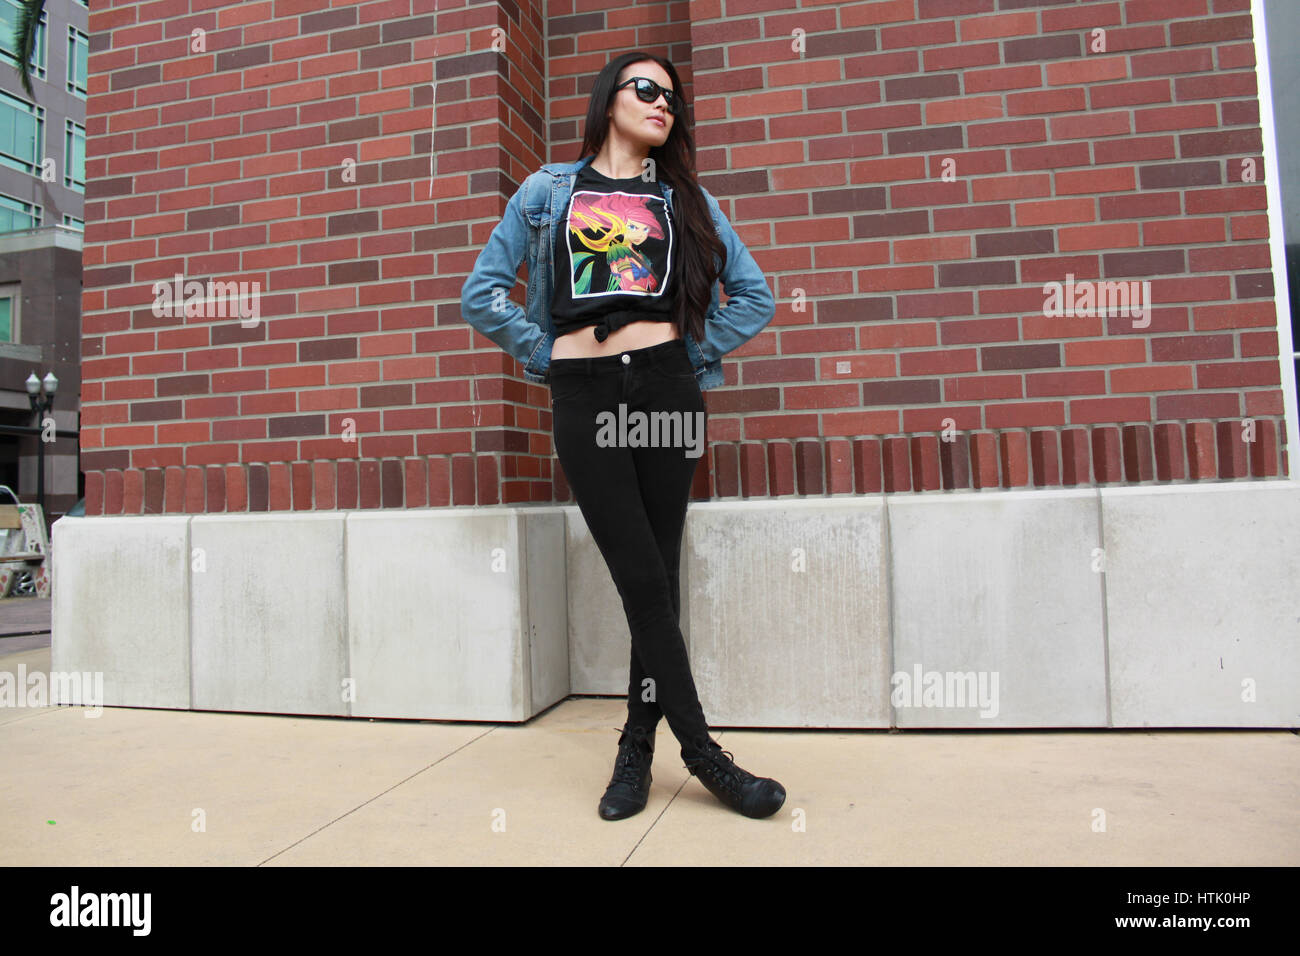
[{"x": 616, "y": 226}]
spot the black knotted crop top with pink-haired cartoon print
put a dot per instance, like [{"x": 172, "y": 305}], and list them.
[{"x": 616, "y": 256}]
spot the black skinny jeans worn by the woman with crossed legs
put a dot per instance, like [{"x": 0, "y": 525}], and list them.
[{"x": 634, "y": 500}]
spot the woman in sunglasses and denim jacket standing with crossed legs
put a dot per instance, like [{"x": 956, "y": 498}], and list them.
[{"x": 619, "y": 326}]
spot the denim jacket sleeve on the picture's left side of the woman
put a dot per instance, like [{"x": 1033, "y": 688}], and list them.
[{"x": 486, "y": 301}]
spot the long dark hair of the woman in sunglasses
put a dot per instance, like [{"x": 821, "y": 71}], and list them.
[{"x": 674, "y": 162}]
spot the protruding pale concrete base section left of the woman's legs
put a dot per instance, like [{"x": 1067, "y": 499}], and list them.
[{"x": 435, "y": 615}]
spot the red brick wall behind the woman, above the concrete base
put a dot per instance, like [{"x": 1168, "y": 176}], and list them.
[{"x": 1117, "y": 165}]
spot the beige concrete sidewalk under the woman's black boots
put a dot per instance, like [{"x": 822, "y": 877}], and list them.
[{"x": 127, "y": 789}]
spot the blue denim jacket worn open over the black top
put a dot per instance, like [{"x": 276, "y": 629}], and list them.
[{"x": 528, "y": 334}]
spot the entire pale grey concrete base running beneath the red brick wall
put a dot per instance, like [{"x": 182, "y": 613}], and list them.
[{"x": 1138, "y": 607}]
